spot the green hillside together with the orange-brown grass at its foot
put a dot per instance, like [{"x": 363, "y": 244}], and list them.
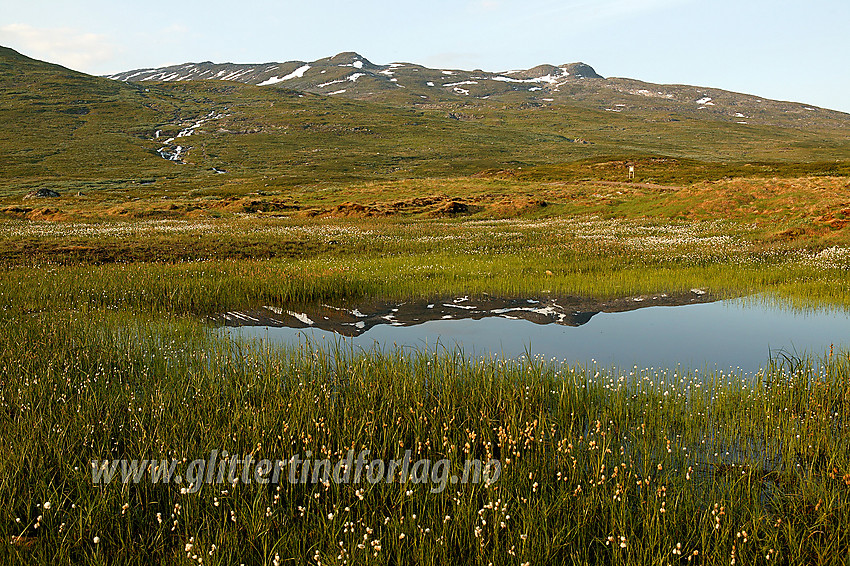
[{"x": 308, "y": 154}]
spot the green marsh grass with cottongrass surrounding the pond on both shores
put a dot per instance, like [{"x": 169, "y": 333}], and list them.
[{"x": 111, "y": 360}]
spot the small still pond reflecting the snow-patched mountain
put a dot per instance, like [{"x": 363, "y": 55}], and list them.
[{"x": 694, "y": 330}]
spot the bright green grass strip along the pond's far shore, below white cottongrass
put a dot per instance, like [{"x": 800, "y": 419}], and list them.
[{"x": 209, "y": 287}]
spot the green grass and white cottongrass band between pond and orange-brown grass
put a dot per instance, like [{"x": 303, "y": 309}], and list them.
[{"x": 342, "y": 260}]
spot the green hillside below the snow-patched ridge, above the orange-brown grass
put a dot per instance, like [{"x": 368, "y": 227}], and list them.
[{"x": 71, "y": 131}]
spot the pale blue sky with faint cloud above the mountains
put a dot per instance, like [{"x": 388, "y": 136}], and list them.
[{"x": 777, "y": 49}]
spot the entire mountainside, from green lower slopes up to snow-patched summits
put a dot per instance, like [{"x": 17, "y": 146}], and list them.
[{"x": 72, "y": 132}]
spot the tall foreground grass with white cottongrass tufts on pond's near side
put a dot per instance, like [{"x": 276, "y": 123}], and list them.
[{"x": 597, "y": 468}]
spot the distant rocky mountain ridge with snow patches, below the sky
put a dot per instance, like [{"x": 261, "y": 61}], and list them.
[{"x": 351, "y": 75}]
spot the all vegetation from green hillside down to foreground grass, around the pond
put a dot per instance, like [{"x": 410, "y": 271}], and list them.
[{"x": 105, "y": 353}]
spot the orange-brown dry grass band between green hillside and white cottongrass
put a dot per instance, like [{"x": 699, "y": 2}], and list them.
[{"x": 806, "y": 210}]
